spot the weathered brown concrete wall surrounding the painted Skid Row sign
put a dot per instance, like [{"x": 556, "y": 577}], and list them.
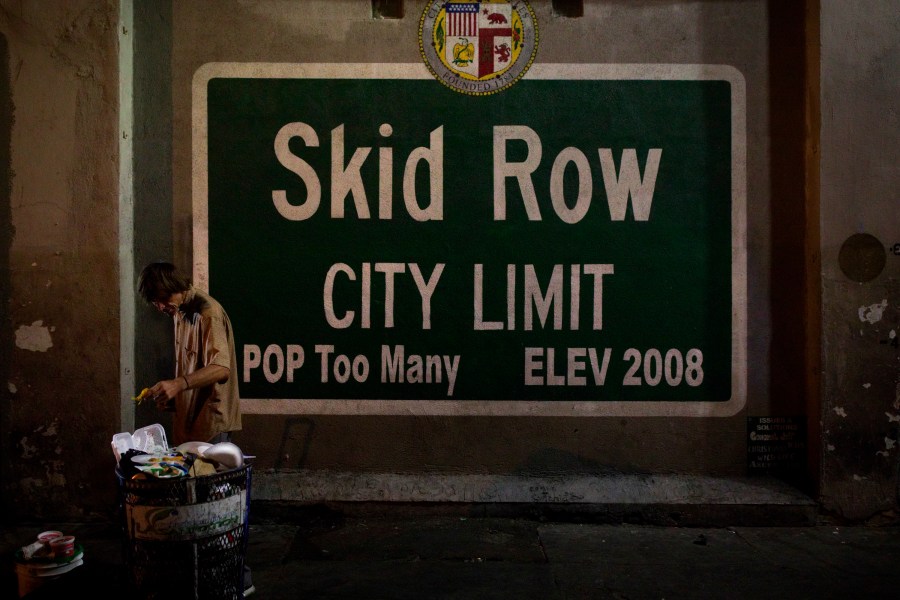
[{"x": 69, "y": 374}]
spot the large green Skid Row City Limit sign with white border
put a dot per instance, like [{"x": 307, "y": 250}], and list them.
[{"x": 384, "y": 245}]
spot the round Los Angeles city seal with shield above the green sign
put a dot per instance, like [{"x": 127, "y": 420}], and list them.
[{"x": 478, "y": 48}]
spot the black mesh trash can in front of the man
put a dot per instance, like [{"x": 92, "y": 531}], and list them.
[{"x": 186, "y": 537}]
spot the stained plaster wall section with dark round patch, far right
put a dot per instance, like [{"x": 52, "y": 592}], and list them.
[{"x": 860, "y": 257}]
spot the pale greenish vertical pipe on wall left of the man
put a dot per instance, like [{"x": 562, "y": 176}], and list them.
[{"x": 126, "y": 215}]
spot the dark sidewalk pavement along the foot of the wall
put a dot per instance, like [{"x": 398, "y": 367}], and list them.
[{"x": 397, "y": 554}]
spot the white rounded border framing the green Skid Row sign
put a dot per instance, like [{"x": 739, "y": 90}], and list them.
[{"x": 555, "y": 408}]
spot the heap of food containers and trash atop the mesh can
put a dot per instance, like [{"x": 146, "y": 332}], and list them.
[{"x": 146, "y": 454}]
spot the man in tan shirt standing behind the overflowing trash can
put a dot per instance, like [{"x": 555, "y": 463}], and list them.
[{"x": 204, "y": 392}]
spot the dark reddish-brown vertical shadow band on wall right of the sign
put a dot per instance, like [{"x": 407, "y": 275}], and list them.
[{"x": 793, "y": 298}]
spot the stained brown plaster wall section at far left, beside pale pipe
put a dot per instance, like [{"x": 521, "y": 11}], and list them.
[{"x": 60, "y": 329}]
